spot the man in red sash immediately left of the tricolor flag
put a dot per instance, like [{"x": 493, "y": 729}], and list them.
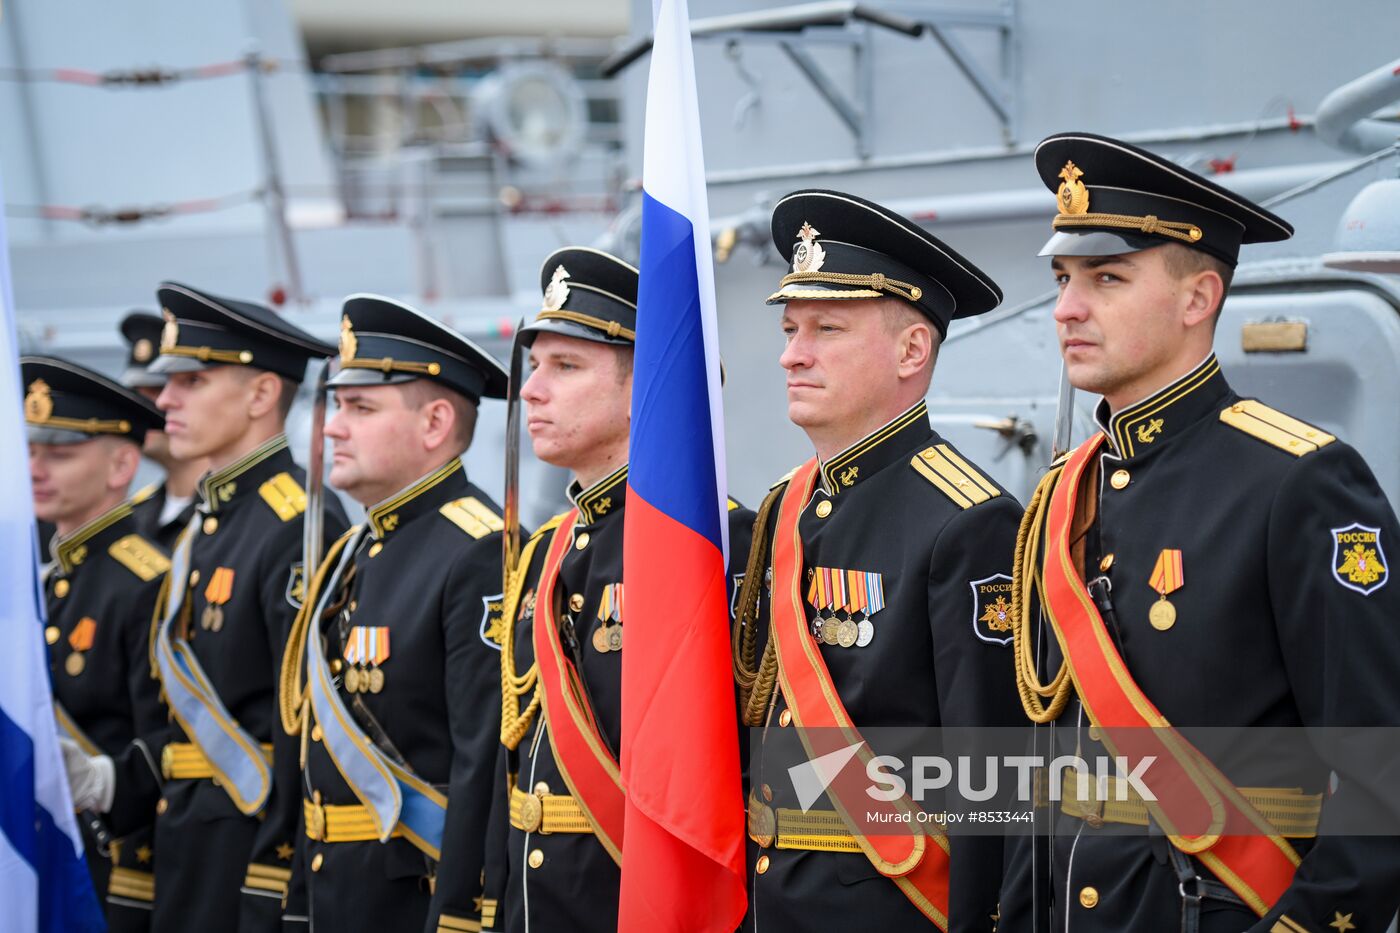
[{"x": 554, "y": 862}]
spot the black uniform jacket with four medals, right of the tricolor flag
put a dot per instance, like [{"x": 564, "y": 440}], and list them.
[{"x": 944, "y": 553}]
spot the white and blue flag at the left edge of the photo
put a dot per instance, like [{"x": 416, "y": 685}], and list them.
[{"x": 44, "y": 882}]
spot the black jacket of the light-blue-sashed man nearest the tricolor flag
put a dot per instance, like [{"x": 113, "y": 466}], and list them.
[{"x": 429, "y": 571}]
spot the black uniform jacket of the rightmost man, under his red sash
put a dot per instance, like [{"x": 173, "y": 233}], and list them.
[{"x": 1273, "y": 630}]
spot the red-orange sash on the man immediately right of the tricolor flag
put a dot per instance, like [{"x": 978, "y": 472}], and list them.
[{"x": 913, "y": 859}]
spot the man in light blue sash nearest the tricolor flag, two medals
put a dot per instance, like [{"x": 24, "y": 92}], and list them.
[{"x": 408, "y": 618}]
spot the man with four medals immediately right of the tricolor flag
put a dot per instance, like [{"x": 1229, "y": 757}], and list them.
[{"x": 899, "y": 558}]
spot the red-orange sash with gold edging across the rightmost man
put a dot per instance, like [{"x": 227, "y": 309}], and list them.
[{"x": 1202, "y": 812}]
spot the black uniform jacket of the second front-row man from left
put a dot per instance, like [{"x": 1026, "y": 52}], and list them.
[{"x": 222, "y": 871}]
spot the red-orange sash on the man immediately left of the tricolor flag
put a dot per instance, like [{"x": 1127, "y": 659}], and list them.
[{"x": 590, "y": 771}]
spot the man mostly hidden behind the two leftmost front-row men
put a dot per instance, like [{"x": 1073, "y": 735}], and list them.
[{"x": 163, "y": 508}]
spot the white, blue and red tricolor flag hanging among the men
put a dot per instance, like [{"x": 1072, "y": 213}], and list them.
[{"x": 682, "y": 865}]
